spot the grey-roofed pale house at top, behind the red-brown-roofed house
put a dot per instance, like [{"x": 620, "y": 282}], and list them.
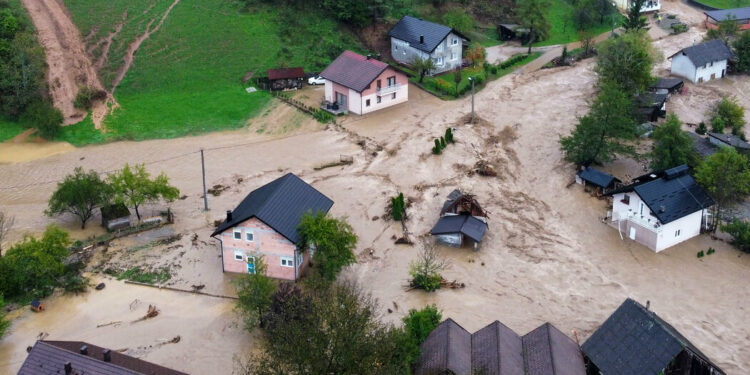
[{"x": 414, "y": 38}]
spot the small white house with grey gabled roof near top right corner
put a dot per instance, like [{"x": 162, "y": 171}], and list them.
[{"x": 702, "y": 62}]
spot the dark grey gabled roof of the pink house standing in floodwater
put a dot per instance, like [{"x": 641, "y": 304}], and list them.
[{"x": 280, "y": 204}]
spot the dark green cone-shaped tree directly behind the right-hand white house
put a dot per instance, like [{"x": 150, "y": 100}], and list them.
[{"x": 672, "y": 146}]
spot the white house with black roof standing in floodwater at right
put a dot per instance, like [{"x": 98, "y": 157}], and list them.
[{"x": 660, "y": 210}]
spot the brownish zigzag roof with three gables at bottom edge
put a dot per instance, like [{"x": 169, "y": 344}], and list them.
[{"x": 497, "y": 350}]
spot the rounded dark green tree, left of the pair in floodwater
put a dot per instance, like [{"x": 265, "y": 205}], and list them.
[{"x": 80, "y": 194}]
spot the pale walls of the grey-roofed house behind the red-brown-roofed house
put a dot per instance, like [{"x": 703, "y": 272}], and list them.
[{"x": 450, "y": 53}]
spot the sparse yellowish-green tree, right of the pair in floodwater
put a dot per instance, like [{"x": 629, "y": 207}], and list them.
[{"x": 134, "y": 187}]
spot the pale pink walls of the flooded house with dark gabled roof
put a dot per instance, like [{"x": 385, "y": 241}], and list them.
[{"x": 268, "y": 243}]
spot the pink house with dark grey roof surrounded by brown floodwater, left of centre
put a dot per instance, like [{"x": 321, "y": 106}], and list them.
[{"x": 264, "y": 225}]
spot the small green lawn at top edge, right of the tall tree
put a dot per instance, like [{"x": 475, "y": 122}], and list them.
[{"x": 564, "y": 30}]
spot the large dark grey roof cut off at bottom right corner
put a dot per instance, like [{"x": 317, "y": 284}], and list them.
[{"x": 635, "y": 340}]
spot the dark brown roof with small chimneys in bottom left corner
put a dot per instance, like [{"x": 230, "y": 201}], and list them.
[{"x": 76, "y": 357}]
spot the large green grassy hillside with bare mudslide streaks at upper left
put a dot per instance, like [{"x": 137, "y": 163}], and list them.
[{"x": 186, "y": 78}]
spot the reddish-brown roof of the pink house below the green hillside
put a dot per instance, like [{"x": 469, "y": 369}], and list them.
[{"x": 353, "y": 70}]
